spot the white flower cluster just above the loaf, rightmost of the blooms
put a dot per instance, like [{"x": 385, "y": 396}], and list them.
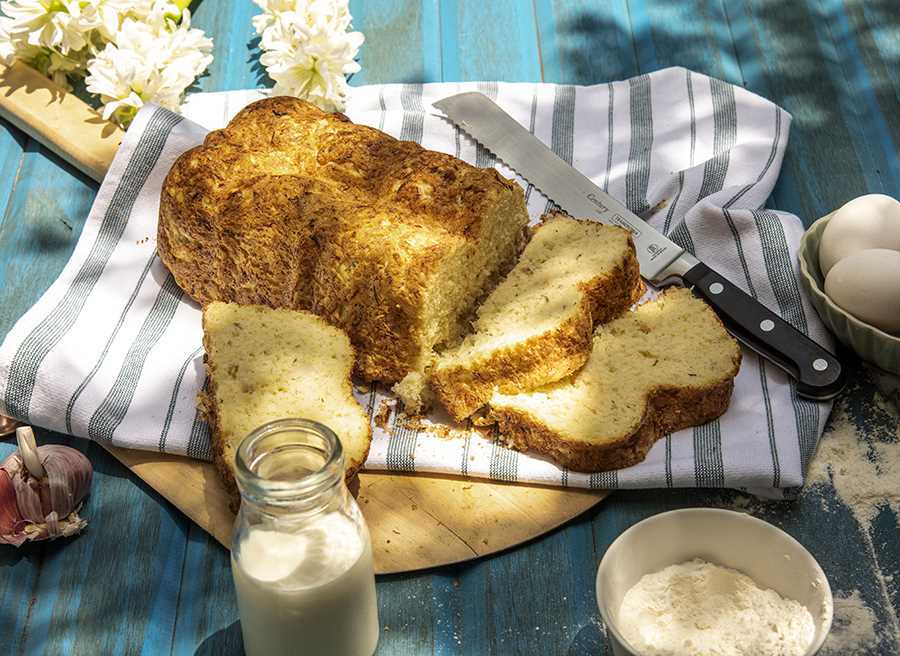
[{"x": 308, "y": 51}]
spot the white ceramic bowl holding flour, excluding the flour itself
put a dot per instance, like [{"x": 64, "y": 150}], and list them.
[{"x": 766, "y": 554}]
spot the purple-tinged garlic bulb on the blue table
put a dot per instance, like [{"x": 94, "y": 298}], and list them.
[{"x": 41, "y": 490}]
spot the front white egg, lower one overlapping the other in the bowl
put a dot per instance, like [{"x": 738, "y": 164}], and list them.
[{"x": 867, "y": 285}]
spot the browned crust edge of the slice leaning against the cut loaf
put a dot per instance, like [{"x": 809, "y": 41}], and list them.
[{"x": 545, "y": 358}]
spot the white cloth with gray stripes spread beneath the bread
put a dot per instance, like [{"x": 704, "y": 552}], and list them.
[{"x": 112, "y": 351}]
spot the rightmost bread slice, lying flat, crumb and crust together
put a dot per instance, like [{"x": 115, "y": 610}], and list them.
[{"x": 667, "y": 365}]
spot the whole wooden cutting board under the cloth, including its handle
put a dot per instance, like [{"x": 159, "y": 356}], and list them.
[{"x": 416, "y": 521}]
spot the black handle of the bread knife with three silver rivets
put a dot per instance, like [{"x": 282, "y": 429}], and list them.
[{"x": 817, "y": 371}]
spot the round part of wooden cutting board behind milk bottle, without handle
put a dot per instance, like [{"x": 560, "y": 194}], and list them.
[{"x": 416, "y": 521}]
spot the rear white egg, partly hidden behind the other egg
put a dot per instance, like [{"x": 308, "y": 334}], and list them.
[{"x": 871, "y": 221}]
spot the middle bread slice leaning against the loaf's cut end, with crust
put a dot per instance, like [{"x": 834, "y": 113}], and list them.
[{"x": 536, "y": 326}]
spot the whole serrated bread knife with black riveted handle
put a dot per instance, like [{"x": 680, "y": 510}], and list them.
[{"x": 817, "y": 371}]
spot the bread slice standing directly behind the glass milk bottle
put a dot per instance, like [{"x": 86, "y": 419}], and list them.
[{"x": 265, "y": 364}]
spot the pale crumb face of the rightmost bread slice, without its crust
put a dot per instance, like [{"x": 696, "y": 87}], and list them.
[{"x": 674, "y": 342}]
